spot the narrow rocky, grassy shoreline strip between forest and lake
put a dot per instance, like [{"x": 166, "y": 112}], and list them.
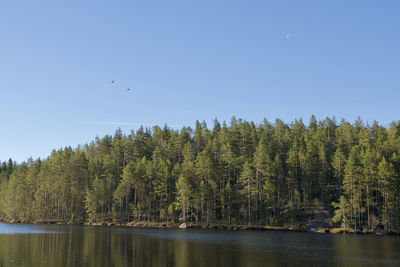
[{"x": 171, "y": 225}]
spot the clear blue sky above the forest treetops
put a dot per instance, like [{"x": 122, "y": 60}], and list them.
[{"x": 187, "y": 61}]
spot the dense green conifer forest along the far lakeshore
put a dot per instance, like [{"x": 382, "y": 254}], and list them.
[{"x": 241, "y": 173}]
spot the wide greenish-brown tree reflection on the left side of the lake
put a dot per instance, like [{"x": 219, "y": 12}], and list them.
[{"x": 97, "y": 247}]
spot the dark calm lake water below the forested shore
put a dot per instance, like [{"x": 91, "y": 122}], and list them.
[{"x": 41, "y": 245}]
